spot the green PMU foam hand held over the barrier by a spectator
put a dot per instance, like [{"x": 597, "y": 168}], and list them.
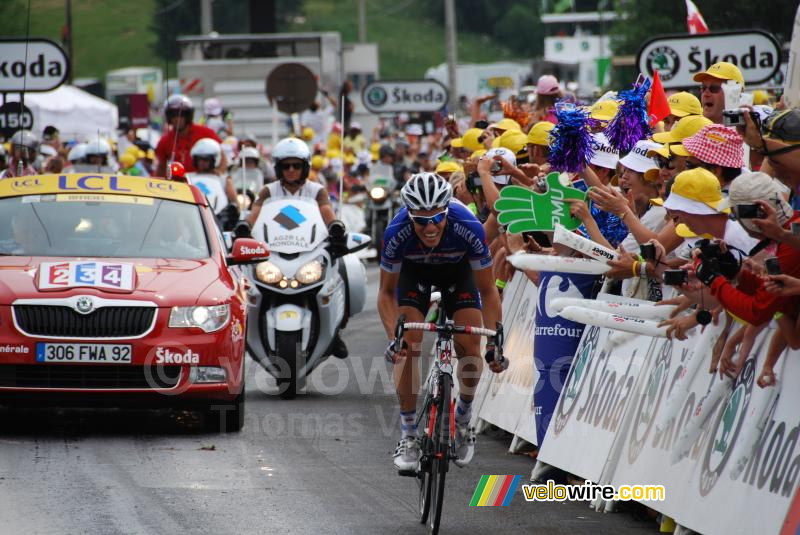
[{"x": 525, "y": 210}]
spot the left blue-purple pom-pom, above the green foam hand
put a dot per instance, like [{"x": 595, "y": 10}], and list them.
[{"x": 570, "y": 140}]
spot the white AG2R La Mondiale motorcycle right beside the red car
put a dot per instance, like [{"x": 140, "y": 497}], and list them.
[{"x": 306, "y": 292}]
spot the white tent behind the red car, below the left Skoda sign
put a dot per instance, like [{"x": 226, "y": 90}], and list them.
[{"x": 76, "y": 113}]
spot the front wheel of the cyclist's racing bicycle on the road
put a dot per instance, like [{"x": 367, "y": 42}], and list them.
[{"x": 440, "y": 459}]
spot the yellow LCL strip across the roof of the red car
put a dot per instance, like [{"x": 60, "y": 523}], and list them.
[{"x": 96, "y": 184}]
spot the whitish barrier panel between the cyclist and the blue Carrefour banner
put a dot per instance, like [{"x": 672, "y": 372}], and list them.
[{"x": 508, "y": 393}]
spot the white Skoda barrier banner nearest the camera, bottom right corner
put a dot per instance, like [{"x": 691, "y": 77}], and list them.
[{"x": 703, "y": 488}]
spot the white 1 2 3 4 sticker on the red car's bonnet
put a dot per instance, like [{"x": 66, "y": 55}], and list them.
[{"x": 105, "y": 275}]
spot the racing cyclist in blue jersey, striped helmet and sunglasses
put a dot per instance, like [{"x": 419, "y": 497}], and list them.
[{"x": 436, "y": 241}]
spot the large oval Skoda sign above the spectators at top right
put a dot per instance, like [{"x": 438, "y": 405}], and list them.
[{"x": 677, "y": 58}]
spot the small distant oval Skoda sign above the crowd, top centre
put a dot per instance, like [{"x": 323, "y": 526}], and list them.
[{"x": 404, "y": 96}]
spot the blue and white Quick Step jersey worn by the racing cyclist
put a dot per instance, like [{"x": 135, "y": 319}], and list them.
[{"x": 463, "y": 236}]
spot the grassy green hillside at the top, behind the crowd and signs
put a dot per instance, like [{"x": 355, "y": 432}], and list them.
[{"x": 110, "y": 34}]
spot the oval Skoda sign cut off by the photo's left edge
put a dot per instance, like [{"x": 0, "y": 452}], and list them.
[{"x": 38, "y": 65}]
